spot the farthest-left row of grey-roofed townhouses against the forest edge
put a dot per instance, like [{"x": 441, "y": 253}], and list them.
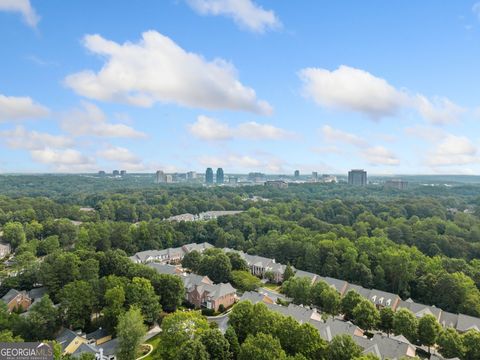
[{"x": 168, "y": 256}]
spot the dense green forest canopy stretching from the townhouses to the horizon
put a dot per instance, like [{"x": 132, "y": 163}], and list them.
[{"x": 73, "y": 233}]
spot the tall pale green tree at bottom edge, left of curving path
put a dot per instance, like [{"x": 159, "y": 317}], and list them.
[{"x": 130, "y": 332}]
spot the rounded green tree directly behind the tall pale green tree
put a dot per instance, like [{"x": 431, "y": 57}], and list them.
[{"x": 141, "y": 293}]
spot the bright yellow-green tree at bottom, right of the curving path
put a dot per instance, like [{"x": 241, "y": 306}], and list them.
[{"x": 177, "y": 329}]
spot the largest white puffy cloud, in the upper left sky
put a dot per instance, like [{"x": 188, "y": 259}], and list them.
[{"x": 156, "y": 69}]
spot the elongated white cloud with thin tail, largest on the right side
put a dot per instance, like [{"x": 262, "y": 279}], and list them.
[{"x": 352, "y": 89}]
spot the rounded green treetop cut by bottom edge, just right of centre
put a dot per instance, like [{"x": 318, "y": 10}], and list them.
[{"x": 261, "y": 347}]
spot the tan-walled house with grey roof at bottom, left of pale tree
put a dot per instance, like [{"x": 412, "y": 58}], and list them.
[{"x": 98, "y": 343}]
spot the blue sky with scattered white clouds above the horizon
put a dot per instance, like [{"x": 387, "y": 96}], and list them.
[{"x": 248, "y": 85}]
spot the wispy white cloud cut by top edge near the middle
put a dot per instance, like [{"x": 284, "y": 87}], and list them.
[{"x": 245, "y": 13}]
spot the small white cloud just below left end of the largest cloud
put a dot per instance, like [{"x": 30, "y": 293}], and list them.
[{"x": 90, "y": 120}]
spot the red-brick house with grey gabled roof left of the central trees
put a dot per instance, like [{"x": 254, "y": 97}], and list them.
[{"x": 202, "y": 292}]
